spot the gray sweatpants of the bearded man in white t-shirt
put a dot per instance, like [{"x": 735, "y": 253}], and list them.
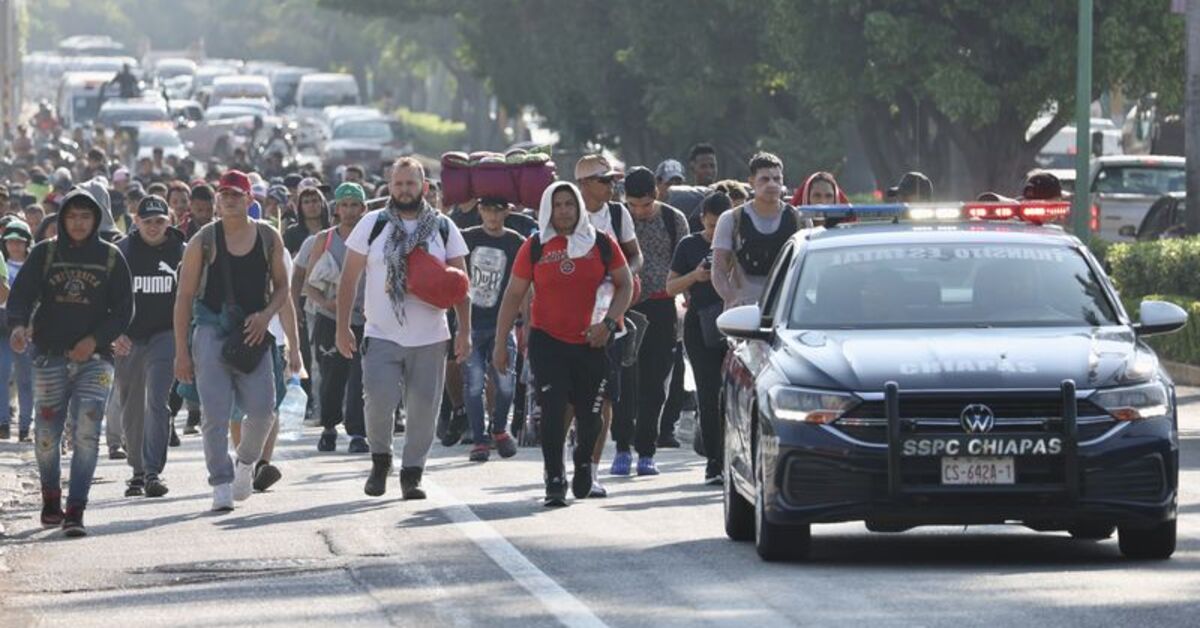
[{"x": 423, "y": 373}]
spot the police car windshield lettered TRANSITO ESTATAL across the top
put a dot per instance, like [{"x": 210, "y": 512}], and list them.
[{"x": 949, "y": 286}]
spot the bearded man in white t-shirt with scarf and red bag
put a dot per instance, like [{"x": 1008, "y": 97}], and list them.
[{"x": 406, "y": 339}]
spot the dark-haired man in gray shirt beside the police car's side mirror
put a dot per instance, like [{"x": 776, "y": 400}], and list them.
[{"x": 751, "y": 237}]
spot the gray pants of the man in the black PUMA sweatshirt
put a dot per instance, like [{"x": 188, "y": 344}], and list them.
[{"x": 143, "y": 385}]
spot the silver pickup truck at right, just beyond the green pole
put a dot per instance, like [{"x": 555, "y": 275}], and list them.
[{"x": 1125, "y": 187}]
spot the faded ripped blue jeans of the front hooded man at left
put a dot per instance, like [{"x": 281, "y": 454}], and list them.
[{"x": 83, "y": 388}]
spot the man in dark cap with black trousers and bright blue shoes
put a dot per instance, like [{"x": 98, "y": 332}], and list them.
[{"x": 659, "y": 229}]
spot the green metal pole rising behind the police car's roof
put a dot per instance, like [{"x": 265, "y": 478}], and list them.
[{"x": 1082, "y": 204}]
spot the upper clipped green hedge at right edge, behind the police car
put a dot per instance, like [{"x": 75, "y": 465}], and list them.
[{"x": 1160, "y": 267}]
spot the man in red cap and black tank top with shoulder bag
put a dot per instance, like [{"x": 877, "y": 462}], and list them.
[{"x": 233, "y": 280}]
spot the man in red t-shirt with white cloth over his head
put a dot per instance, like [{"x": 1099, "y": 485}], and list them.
[{"x": 574, "y": 315}]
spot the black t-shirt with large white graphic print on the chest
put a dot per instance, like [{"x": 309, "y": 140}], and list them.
[{"x": 490, "y": 267}]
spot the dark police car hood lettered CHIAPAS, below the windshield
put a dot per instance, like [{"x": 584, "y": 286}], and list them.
[{"x": 866, "y": 361}]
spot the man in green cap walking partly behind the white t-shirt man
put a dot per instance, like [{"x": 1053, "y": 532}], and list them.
[{"x": 341, "y": 380}]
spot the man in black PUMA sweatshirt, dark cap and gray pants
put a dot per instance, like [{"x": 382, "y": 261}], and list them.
[{"x": 146, "y": 354}]
